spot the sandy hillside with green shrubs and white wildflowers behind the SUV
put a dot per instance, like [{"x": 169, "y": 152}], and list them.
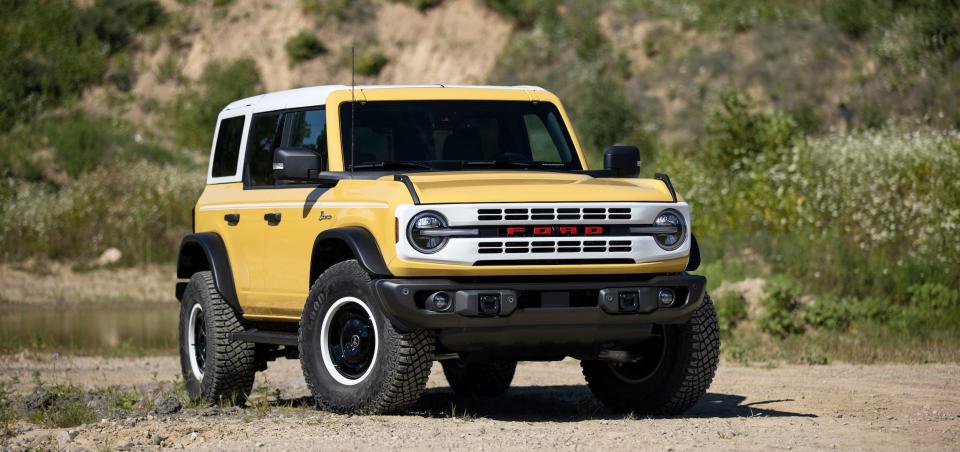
[{"x": 811, "y": 138}]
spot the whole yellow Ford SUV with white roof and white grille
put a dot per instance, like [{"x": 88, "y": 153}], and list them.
[{"x": 369, "y": 231}]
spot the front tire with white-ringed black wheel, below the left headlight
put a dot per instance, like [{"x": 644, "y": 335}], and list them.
[{"x": 353, "y": 359}]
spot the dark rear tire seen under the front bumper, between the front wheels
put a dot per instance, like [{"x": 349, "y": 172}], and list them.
[{"x": 486, "y": 379}]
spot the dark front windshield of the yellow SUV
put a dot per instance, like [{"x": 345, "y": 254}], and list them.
[{"x": 439, "y": 134}]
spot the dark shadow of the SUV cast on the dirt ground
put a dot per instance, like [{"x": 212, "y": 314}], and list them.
[{"x": 570, "y": 403}]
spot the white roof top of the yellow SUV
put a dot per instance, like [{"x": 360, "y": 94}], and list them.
[{"x": 317, "y": 95}]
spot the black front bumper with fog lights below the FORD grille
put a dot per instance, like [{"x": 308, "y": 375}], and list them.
[{"x": 539, "y": 316}]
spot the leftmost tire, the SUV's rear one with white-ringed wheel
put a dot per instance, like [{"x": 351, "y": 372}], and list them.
[{"x": 215, "y": 368}]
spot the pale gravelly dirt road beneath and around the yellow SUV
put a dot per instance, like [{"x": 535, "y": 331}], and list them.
[{"x": 890, "y": 407}]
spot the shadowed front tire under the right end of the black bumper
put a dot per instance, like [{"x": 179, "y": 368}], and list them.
[{"x": 678, "y": 366}]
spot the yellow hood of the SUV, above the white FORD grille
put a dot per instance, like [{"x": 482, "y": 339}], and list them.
[{"x": 532, "y": 186}]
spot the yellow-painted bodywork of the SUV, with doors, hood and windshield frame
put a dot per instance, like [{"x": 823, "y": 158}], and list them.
[{"x": 271, "y": 263}]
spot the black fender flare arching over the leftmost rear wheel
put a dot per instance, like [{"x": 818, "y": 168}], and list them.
[{"x": 205, "y": 251}]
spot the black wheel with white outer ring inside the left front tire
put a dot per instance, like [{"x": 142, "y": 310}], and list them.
[{"x": 351, "y": 341}]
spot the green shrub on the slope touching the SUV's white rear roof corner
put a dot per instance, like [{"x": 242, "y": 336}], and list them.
[{"x": 195, "y": 110}]
